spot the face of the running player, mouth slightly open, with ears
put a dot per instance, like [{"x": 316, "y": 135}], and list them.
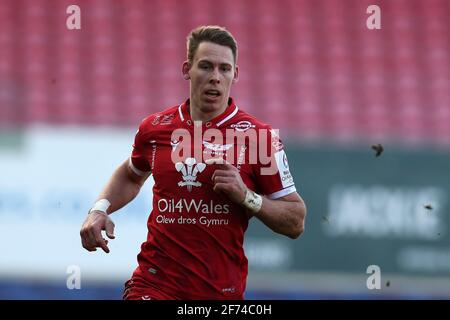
[{"x": 211, "y": 74}]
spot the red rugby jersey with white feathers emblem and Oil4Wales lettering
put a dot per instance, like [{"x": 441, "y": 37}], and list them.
[{"x": 194, "y": 248}]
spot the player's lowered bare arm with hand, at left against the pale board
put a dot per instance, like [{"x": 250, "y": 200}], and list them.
[{"x": 122, "y": 187}]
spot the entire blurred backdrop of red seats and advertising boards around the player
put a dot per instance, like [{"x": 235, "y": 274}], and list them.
[{"x": 71, "y": 101}]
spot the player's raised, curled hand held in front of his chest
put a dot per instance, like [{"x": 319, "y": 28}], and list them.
[{"x": 227, "y": 180}]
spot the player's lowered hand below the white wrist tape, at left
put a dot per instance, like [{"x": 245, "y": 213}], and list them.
[{"x": 91, "y": 231}]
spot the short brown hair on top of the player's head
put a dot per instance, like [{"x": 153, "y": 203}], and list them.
[{"x": 214, "y": 34}]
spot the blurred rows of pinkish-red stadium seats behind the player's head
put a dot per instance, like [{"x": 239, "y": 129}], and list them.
[{"x": 304, "y": 64}]
